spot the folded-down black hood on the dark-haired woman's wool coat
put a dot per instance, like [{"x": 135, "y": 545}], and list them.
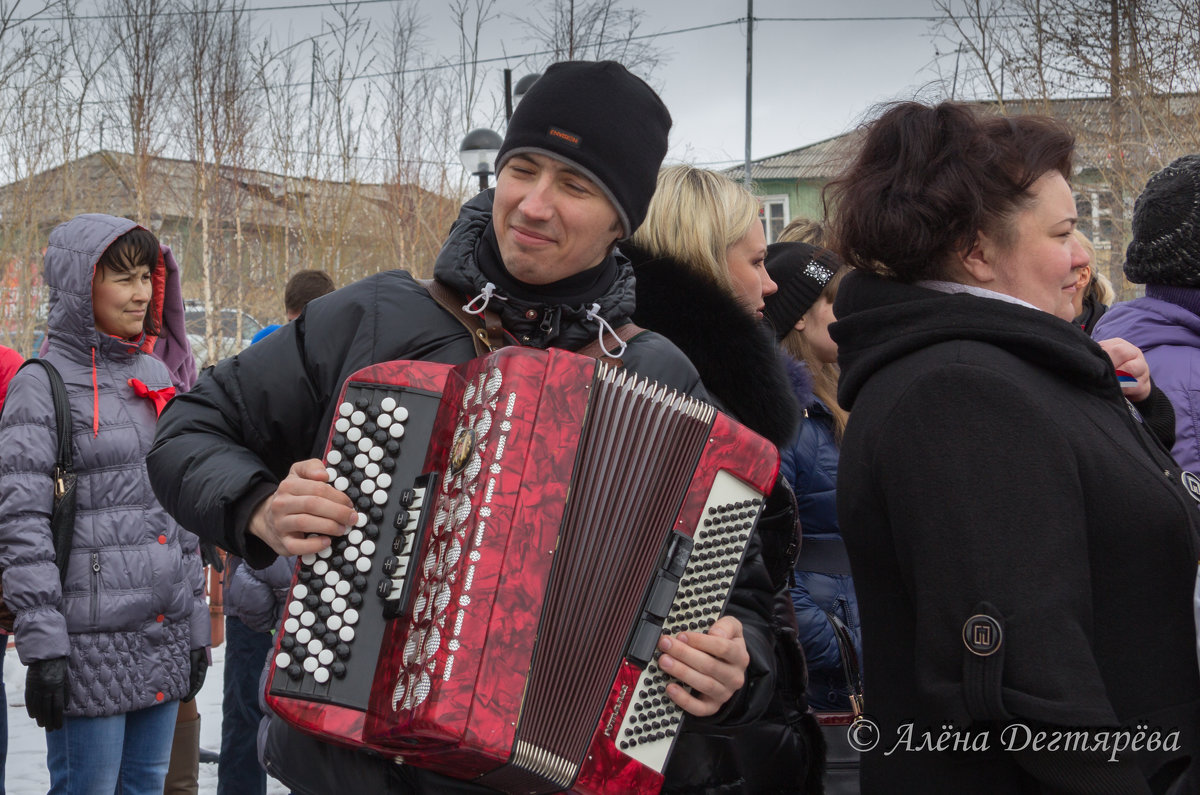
[{"x": 881, "y": 321}]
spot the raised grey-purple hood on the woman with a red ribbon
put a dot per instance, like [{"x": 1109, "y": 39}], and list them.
[{"x": 69, "y": 267}]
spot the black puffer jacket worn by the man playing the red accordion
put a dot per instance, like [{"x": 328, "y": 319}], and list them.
[{"x": 225, "y": 446}]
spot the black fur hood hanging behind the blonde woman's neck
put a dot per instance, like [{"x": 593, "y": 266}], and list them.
[{"x": 736, "y": 356}]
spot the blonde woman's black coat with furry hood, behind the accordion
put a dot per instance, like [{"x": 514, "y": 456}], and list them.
[{"x": 745, "y": 373}]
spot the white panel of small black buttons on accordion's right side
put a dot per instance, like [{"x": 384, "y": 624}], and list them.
[{"x": 652, "y": 720}]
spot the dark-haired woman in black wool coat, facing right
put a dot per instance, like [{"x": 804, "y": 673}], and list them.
[{"x": 1023, "y": 548}]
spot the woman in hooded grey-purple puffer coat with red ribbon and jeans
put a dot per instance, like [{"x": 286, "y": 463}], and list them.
[{"x": 113, "y": 651}]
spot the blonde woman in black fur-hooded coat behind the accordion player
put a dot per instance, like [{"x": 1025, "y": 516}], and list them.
[{"x": 703, "y": 283}]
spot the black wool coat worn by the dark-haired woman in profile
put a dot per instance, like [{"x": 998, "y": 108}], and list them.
[{"x": 992, "y": 468}]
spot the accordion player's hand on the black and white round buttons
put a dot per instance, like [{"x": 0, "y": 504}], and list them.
[{"x": 304, "y": 512}]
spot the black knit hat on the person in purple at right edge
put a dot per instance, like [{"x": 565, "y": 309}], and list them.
[{"x": 1166, "y": 247}]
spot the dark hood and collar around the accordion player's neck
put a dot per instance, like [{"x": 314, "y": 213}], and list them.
[{"x": 541, "y": 325}]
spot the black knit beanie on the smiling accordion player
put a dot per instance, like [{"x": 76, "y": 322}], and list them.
[{"x": 604, "y": 122}]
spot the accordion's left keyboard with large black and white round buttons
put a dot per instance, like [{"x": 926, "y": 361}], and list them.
[{"x": 334, "y": 620}]
